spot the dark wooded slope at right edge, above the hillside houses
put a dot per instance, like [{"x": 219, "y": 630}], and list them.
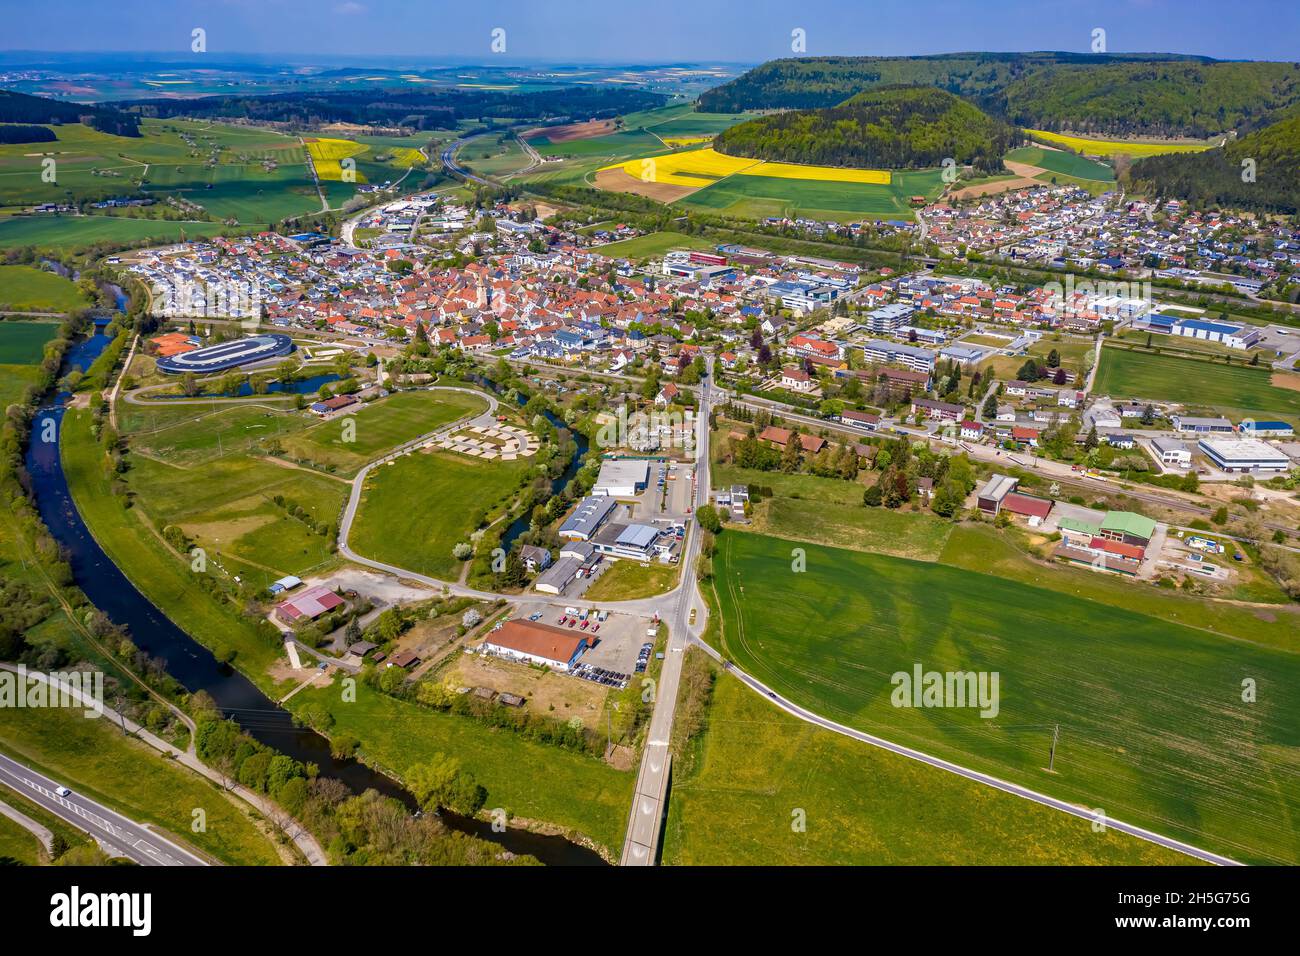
[{"x": 1219, "y": 178}]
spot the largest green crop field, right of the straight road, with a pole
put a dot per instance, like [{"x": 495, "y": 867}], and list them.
[{"x": 1154, "y": 729}]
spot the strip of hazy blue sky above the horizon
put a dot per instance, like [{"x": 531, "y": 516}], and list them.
[{"x": 652, "y": 31}]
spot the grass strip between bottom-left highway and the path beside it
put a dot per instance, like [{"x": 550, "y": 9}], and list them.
[{"x": 133, "y": 778}]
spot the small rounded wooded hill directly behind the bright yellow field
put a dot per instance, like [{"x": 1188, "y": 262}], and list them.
[{"x": 895, "y": 127}]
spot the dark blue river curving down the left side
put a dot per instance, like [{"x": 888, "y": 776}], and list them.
[{"x": 196, "y": 667}]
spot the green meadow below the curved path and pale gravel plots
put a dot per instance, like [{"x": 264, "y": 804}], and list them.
[{"x": 418, "y": 509}]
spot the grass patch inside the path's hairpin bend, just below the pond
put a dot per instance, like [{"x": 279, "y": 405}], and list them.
[{"x": 379, "y": 427}]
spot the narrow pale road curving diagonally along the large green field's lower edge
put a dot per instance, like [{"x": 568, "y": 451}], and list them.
[{"x": 978, "y": 777}]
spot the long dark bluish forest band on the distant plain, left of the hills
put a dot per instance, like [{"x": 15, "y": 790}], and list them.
[{"x": 421, "y": 110}]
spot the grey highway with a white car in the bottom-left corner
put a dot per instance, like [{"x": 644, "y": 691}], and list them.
[{"x": 124, "y": 837}]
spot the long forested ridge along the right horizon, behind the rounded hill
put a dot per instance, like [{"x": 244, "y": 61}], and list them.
[{"x": 1136, "y": 94}]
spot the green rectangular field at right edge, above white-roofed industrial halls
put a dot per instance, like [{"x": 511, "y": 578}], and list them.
[{"x": 1236, "y": 391}]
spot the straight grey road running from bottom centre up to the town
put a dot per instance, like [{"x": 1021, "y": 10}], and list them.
[{"x": 649, "y": 801}]
